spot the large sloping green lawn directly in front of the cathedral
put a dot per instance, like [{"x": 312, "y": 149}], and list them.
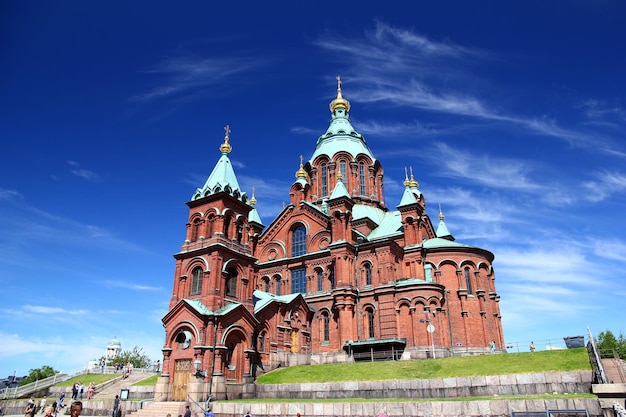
[{"x": 498, "y": 364}]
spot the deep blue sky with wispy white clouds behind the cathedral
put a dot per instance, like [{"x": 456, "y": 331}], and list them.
[{"x": 512, "y": 115}]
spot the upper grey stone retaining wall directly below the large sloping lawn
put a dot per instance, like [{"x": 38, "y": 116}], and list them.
[{"x": 515, "y": 384}]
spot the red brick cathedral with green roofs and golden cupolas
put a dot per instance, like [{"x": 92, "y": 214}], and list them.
[{"x": 336, "y": 277}]
